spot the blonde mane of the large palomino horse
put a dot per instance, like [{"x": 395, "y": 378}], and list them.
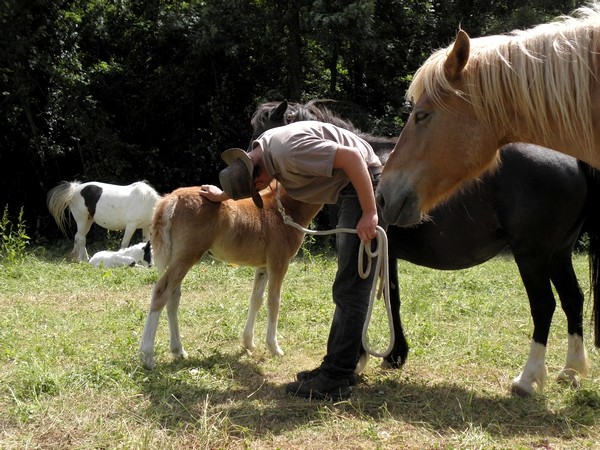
[{"x": 544, "y": 74}]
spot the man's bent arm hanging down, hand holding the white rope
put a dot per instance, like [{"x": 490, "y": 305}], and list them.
[{"x": 350, "y": 160}]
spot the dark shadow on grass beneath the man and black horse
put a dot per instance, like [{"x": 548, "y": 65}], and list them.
[{"x": 232, "y": 388}]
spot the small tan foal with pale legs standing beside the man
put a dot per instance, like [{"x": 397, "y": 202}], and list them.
[{"x": 186, "y": 225}]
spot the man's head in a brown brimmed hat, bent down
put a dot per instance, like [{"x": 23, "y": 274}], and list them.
[{"x": 238, "y": 179}]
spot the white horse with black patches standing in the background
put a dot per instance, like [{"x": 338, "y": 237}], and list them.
[{"x": 111, "y": 206}]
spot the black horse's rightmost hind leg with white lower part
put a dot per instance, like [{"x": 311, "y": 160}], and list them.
[{"x": 571, "y": 299}]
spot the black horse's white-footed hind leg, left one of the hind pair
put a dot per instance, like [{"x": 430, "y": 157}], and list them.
[{"x": 535, "y": 276}]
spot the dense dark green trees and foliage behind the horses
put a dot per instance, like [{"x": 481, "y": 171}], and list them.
[{"x": 122, "y": 90}]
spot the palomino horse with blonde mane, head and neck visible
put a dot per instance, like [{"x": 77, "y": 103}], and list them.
[{"x": 540, "y": 86}]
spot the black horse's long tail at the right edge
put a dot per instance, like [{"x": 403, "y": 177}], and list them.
[{"x": 592, "y": 228}]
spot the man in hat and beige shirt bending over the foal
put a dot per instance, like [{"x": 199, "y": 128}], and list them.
[{"x": 318, "y": 162}]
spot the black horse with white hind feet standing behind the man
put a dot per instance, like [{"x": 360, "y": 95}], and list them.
[{"x": 537, "y": 203}]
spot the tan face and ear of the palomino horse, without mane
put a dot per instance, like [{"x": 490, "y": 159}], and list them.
[{"x": 425, "y": 166}]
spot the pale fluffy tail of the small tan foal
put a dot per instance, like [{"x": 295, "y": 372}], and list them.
[{"x": 160, "y": 232}]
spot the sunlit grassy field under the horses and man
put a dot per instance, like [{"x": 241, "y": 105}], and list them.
[{"x": 70, "y": 378}]
